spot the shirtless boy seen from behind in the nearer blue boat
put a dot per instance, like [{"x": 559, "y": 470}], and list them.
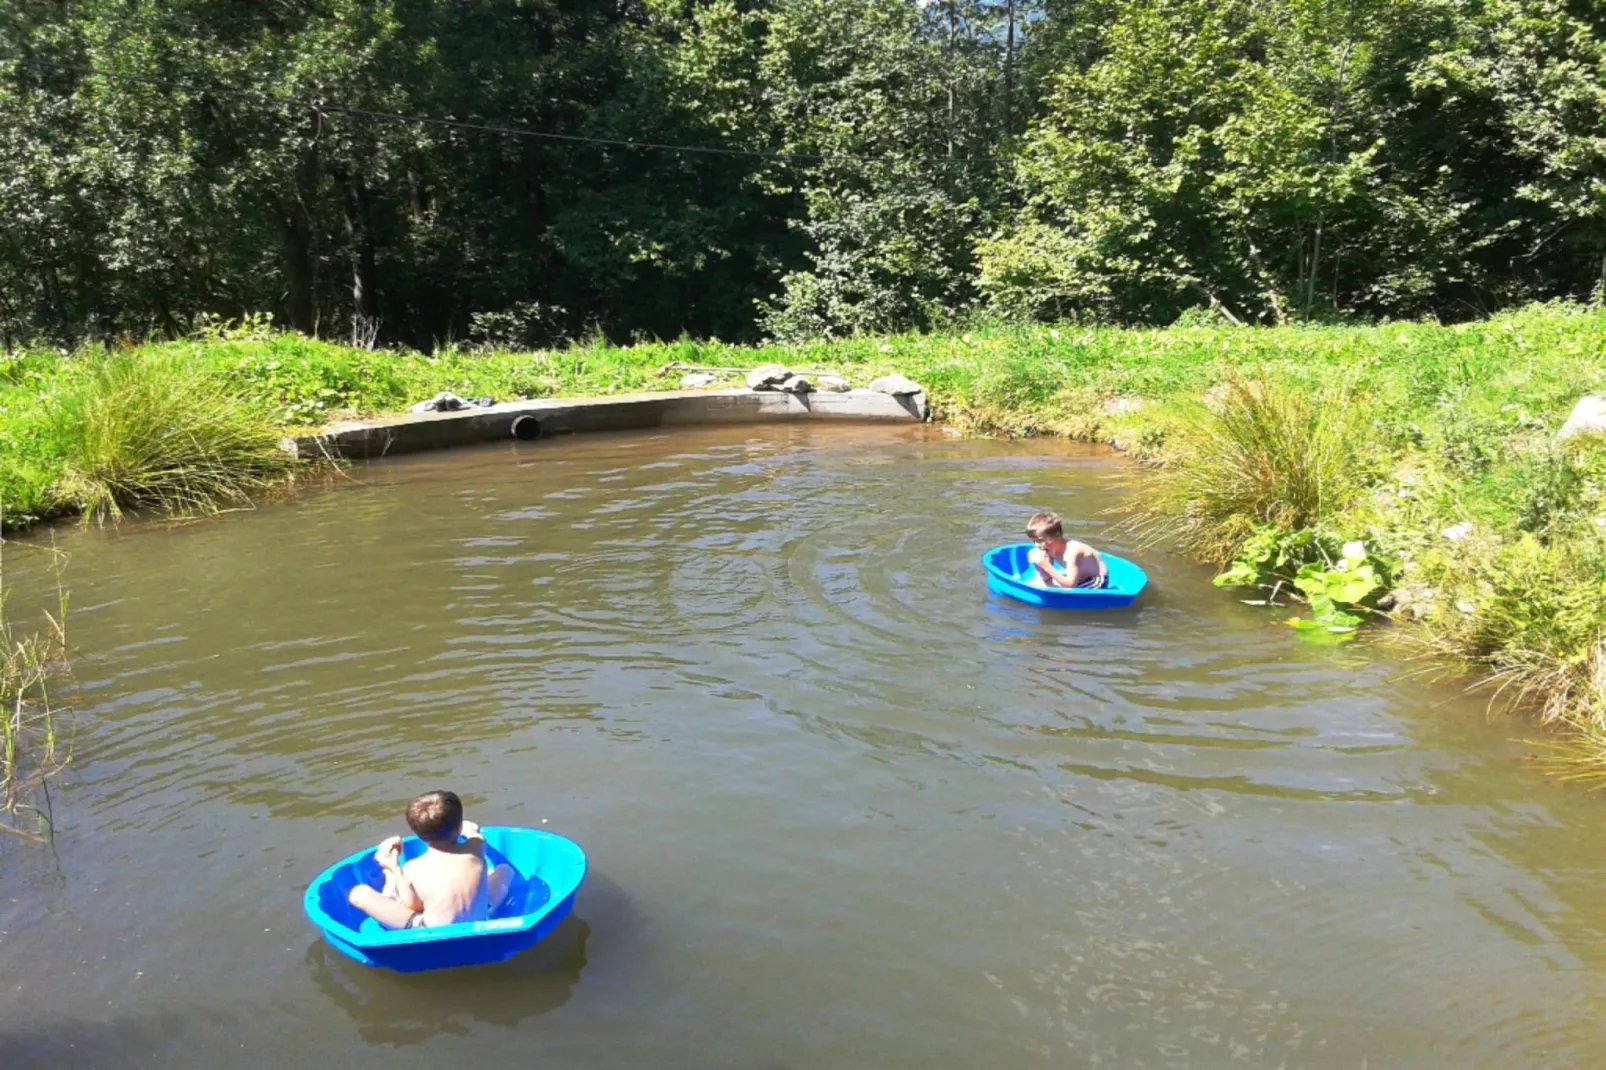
[{"x": 449, "y": 883}]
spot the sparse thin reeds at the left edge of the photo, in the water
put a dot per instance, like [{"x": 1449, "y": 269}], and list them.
[{"x": 35, "y": 738}]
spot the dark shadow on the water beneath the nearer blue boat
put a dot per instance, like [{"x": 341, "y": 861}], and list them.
[{"x": 412, "y": 1010}]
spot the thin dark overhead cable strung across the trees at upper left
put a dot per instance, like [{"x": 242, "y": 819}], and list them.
[{"x": 499, "y": 129}]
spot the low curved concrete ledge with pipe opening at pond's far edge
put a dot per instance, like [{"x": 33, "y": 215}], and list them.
[{"x": 627, "y": 412}]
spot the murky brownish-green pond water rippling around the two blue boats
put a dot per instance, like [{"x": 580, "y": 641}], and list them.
[{"x": 844, "y": 811}]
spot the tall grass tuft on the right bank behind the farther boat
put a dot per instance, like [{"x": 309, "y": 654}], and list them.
[{"x": 1260, "y": 455}]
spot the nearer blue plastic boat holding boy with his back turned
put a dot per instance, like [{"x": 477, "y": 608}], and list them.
[{"x": 550, "y": 875}]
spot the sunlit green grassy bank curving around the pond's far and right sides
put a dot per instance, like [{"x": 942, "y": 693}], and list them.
[{"x": 1356, "y": 472}]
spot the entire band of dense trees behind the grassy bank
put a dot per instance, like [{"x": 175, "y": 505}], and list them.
[{"x": 878, "y": 165}]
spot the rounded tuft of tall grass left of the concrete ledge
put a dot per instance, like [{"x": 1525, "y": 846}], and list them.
[{"x": 142, "y": 430}]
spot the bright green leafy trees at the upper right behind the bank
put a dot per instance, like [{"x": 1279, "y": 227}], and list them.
[{"x": 1310, "y": 158}]
